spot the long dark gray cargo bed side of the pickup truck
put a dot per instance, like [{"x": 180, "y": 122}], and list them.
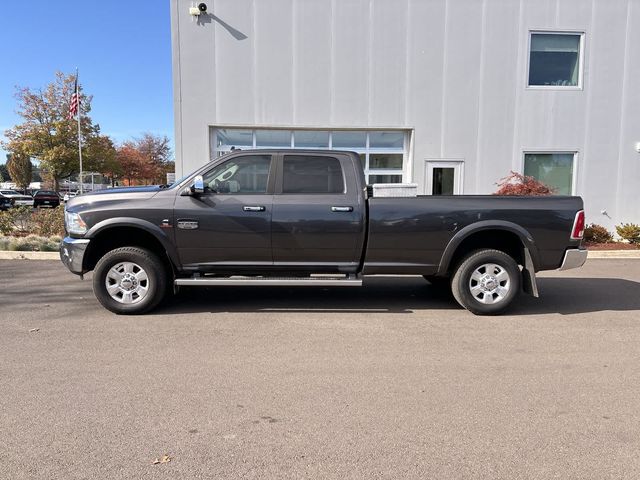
[{"x": 410, "y": 235}]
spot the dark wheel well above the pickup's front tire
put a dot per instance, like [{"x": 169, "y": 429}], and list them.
[{"x": 116, "y": 237}]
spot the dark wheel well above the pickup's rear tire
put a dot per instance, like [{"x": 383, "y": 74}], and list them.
[{"x": 503, "y": 240}]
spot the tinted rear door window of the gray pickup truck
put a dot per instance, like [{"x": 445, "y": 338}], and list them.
[{"x": 312, "y": 174}]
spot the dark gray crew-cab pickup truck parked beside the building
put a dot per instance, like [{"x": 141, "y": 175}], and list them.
[{"x": 307, "y": 218}]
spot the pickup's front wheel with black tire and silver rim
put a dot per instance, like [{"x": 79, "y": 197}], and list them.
[{"x": 147, "y": 289}]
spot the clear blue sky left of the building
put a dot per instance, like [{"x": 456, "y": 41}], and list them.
[{"x": 122, "y": 49}]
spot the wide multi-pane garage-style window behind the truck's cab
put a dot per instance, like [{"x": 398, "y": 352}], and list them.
[{"x": 383, "y": 152}]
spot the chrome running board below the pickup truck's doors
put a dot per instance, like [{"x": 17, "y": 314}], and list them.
[{"x": 239, "y": 281}]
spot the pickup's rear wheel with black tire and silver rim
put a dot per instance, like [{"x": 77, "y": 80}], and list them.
[{"x": 489, "y": 292}]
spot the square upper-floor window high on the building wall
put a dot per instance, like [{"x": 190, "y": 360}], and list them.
[{"x": 555, "y": 59}]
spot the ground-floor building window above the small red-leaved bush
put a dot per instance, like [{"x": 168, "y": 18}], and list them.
[{"x": 556, "y": 170}]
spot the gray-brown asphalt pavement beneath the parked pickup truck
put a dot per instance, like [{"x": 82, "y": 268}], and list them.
[{"x": 392, "y": 380}]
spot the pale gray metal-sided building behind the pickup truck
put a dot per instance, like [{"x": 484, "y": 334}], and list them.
[{"x": 449, "y": 94}]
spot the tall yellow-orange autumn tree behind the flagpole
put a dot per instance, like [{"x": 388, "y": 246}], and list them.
[{"x": 49, "y": 135}]
